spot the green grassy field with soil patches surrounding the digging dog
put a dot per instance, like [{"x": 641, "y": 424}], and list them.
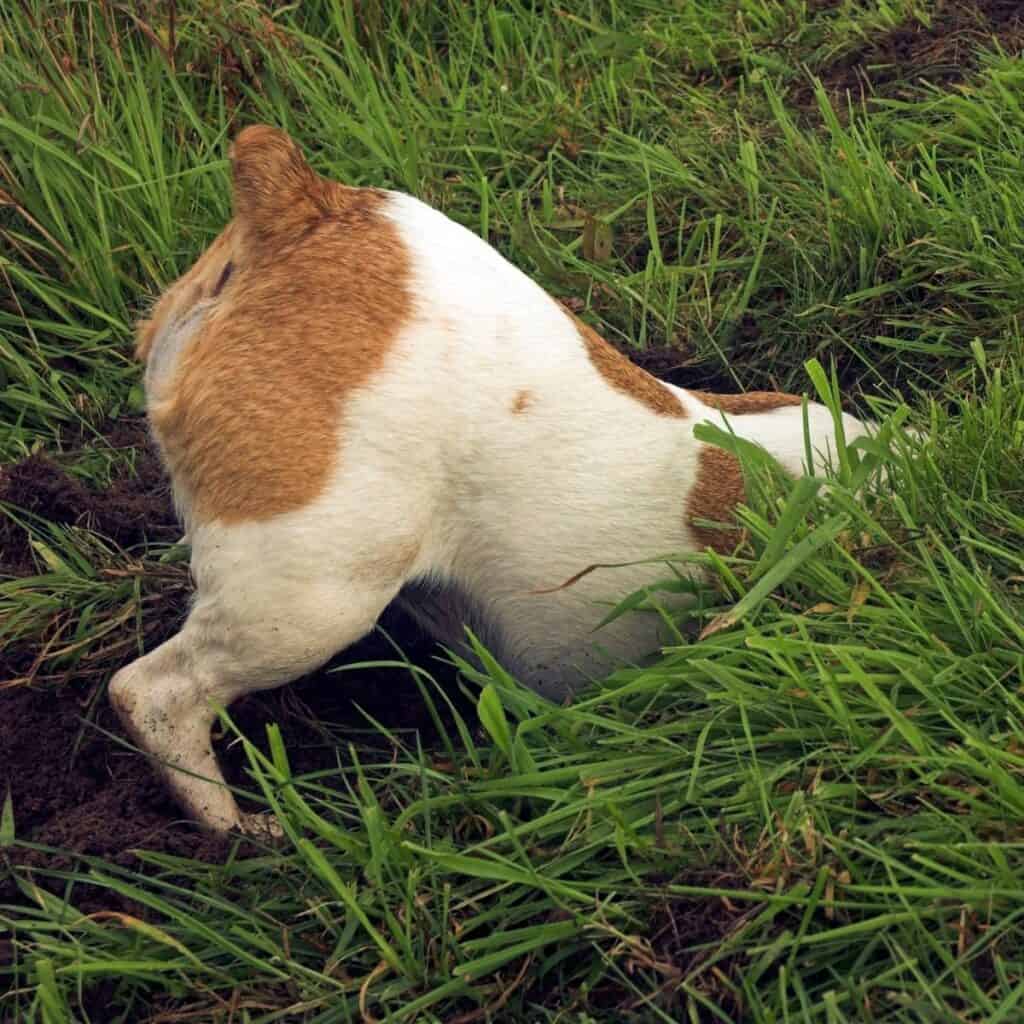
[{"x": 816, "y": 813}]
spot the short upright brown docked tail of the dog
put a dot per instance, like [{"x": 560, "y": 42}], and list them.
[{"x": 277, "y": 193}]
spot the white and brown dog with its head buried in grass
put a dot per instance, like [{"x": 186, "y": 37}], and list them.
[{"x": 358, "y": 400}]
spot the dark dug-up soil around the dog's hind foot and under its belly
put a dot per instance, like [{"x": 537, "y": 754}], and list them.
[{"x": 75, "y": 785}]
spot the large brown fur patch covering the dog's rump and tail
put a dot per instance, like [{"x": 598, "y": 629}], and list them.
[{"x": 318, "y": 294}]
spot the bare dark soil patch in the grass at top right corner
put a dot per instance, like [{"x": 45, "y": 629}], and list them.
[{"x": 889, "y": 65}]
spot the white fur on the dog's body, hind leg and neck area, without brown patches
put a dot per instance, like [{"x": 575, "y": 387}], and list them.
[{"x": 447, "y": 497}]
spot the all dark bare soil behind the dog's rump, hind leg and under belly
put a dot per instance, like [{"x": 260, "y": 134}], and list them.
[{"x": 74, "y": 784}]
